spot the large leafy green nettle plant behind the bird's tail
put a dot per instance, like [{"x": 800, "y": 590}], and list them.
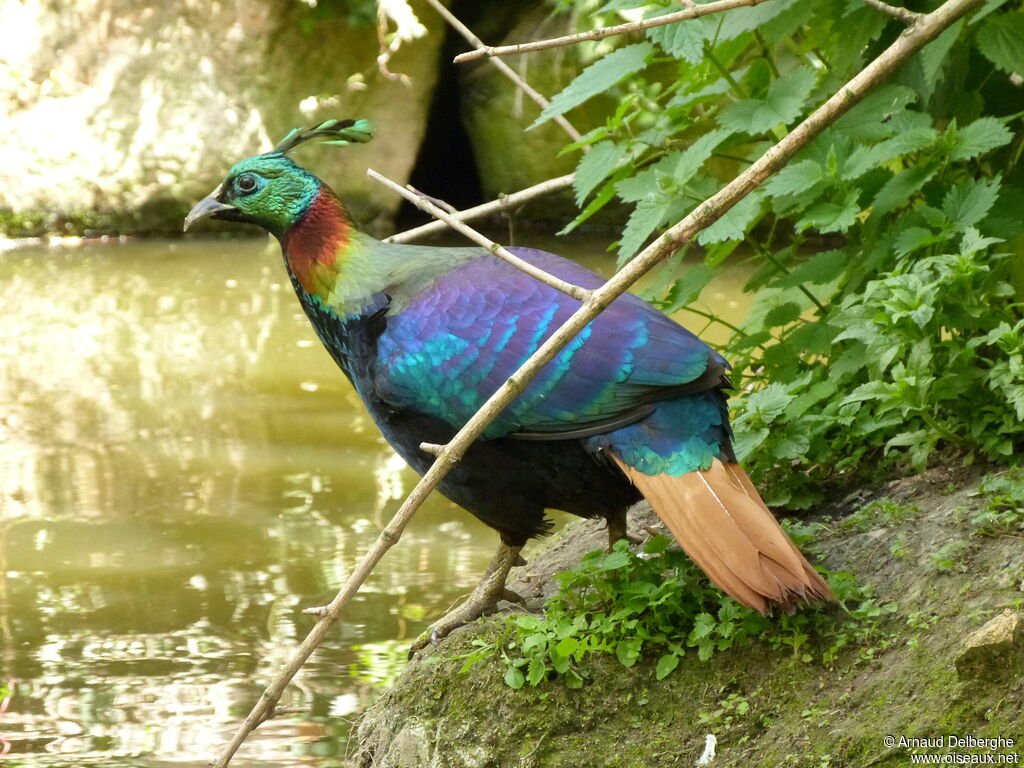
[{"x": 888, "y": 326}]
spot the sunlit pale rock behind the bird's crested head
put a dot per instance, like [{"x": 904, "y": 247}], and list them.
[{"x": 118, "y": 114}]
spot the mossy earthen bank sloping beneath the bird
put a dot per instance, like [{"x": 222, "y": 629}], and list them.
[{"x": 947, "y": 660}]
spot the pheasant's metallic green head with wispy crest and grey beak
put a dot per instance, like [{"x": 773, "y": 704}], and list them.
[{"x": 271, "y": 190}]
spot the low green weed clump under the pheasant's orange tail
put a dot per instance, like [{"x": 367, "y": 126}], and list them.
[{"x": 658, "y": 605}]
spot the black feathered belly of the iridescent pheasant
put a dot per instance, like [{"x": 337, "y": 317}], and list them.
[{"x": 508, "y": 484}]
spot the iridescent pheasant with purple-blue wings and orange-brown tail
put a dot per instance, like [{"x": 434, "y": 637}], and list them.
[{"x": 633, "y": 407}]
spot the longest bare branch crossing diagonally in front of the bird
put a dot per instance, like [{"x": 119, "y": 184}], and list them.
[{"x": 927, "y": 29}]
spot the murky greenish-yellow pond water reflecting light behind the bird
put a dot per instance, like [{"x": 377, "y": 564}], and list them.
[{"x": 183, "y": 471}]
